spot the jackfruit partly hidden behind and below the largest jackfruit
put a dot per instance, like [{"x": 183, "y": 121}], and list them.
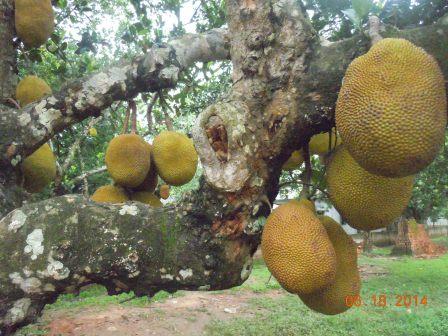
[{"x": 366, "y": 201}]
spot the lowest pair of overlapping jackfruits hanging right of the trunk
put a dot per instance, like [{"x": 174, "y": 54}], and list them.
[{"x": 311, "y": 256}]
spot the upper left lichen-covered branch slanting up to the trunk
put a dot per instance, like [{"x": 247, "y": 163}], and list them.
[{"x": 23, "y": 131}]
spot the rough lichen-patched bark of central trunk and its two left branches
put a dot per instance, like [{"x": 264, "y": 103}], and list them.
[{"x": 285, "y": 86}]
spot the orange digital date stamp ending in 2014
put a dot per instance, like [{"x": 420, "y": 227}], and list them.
[{"x": 383, "y": 300}]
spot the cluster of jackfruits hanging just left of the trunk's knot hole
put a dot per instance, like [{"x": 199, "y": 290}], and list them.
[{"x": 135, "y": 167}]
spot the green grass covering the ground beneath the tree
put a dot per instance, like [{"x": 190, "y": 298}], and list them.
[{"x": 286, "y": 315}]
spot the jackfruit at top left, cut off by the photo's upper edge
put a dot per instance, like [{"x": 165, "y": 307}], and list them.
[{"x": 34, "y": 20}]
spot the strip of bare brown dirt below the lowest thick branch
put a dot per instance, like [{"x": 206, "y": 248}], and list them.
[{"x": 185, "y": 315}]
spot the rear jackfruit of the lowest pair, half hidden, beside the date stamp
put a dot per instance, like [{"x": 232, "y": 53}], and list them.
[{"x": 332, "y": 299}]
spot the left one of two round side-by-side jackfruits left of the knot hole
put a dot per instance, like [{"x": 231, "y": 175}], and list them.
[{"x": 128, "y": 159}]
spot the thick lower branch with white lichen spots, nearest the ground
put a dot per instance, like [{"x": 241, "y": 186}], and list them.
[{"x": 67, "y": 242}]
